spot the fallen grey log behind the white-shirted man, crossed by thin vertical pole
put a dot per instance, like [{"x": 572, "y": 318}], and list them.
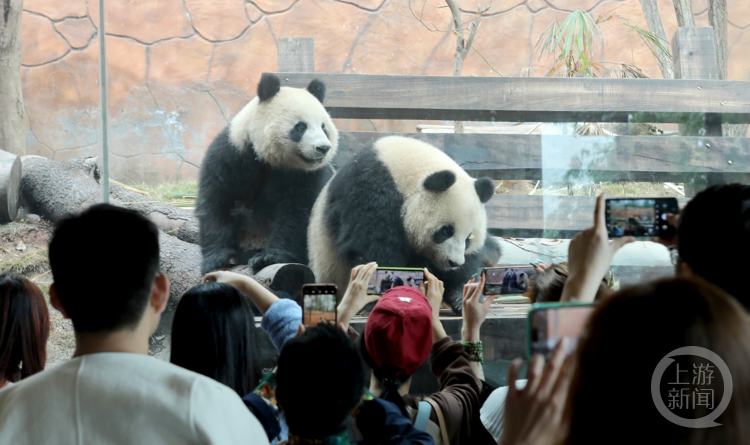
[{"x": 57, "y": 189}]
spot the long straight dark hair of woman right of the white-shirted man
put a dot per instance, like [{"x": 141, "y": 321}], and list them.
[{"x": 213, "y": 333}]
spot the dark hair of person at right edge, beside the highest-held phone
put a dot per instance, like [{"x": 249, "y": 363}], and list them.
[{"x": 724, "y": 210}]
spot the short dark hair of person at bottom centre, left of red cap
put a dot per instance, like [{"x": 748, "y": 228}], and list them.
[{"x": 319, "y": 381}]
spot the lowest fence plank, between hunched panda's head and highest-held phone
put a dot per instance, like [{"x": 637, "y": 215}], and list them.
[{"x": 541, "y": 216}]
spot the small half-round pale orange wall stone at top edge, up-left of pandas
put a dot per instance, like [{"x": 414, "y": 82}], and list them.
[{"x": 218, "y": 20}]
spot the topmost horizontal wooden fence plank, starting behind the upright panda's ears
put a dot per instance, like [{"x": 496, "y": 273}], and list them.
[{"x": 528, "y": 99}]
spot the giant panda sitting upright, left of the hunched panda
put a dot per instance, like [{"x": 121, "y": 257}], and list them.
[{"x": 261, "y": 175}]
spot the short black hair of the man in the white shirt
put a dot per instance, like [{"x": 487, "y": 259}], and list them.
[{"x": 104, "y": 262}]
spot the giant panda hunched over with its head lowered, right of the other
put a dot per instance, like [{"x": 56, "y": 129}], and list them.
[{"x": 402, "y": 203}]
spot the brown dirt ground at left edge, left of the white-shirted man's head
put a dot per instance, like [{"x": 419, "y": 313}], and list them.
[{"x": 23, "y": 250}]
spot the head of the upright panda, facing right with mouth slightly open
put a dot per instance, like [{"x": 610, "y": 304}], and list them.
[{"x": 288, "y": 127}]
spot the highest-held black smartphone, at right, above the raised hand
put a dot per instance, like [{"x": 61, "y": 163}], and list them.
[{"x": 640, "y": 217}]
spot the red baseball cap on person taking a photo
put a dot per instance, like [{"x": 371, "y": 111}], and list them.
[{"x": 398, "y": 330}]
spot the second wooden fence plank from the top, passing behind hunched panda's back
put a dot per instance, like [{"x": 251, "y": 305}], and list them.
[{"x": 579, "y": 159}]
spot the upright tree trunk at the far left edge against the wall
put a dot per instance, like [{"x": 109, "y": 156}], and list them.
[{"x": 11, "y": 100}]
